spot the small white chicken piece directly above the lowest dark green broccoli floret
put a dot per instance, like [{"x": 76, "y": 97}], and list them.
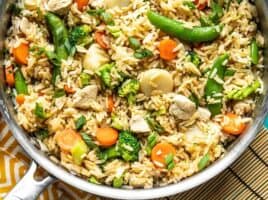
[{"x": 139, "y": 125}]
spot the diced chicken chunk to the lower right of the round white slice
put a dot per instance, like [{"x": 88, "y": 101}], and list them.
[{"x": 182, "y": 107}]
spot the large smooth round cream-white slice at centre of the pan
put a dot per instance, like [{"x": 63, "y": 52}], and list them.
[{"x": 156, "y": 81}]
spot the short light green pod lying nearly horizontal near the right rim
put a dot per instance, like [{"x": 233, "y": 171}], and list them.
[{"x": 244, "y": 92}]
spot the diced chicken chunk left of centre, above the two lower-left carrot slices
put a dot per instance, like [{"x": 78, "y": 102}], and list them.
[{"x": 83, "y": 98}]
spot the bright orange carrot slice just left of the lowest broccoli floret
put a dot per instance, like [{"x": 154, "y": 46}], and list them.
[{"x": 107, "y": 136}]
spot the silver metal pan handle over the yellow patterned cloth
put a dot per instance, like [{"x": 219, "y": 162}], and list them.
[{"x": 28, "y": 188}]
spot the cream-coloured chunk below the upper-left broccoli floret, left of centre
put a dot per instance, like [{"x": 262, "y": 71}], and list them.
[{"x": 95, "y": 57}]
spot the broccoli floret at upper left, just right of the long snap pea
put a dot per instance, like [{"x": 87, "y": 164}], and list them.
[{"x": 80, "y": 35}]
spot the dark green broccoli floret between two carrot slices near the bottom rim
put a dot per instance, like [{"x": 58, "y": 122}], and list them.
[{"x": 128, "y": 146}]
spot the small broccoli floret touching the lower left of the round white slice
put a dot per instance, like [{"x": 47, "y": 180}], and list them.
[{"x": 129, "y": 89}]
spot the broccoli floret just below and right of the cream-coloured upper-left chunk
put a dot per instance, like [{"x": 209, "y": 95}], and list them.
[{"x": 110, "y": 76}]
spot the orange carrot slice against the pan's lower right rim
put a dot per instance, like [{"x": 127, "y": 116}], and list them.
[{"x": 232, "y": 124}]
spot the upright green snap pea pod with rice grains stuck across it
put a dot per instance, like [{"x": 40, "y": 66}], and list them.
[{"x": 214, "y": 88}]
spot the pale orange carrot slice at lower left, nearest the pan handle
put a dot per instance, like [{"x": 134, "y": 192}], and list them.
[{"x": 67, "y": 139}]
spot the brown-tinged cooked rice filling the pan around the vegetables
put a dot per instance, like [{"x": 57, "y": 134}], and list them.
[{"x": 192, "y": 138}]
